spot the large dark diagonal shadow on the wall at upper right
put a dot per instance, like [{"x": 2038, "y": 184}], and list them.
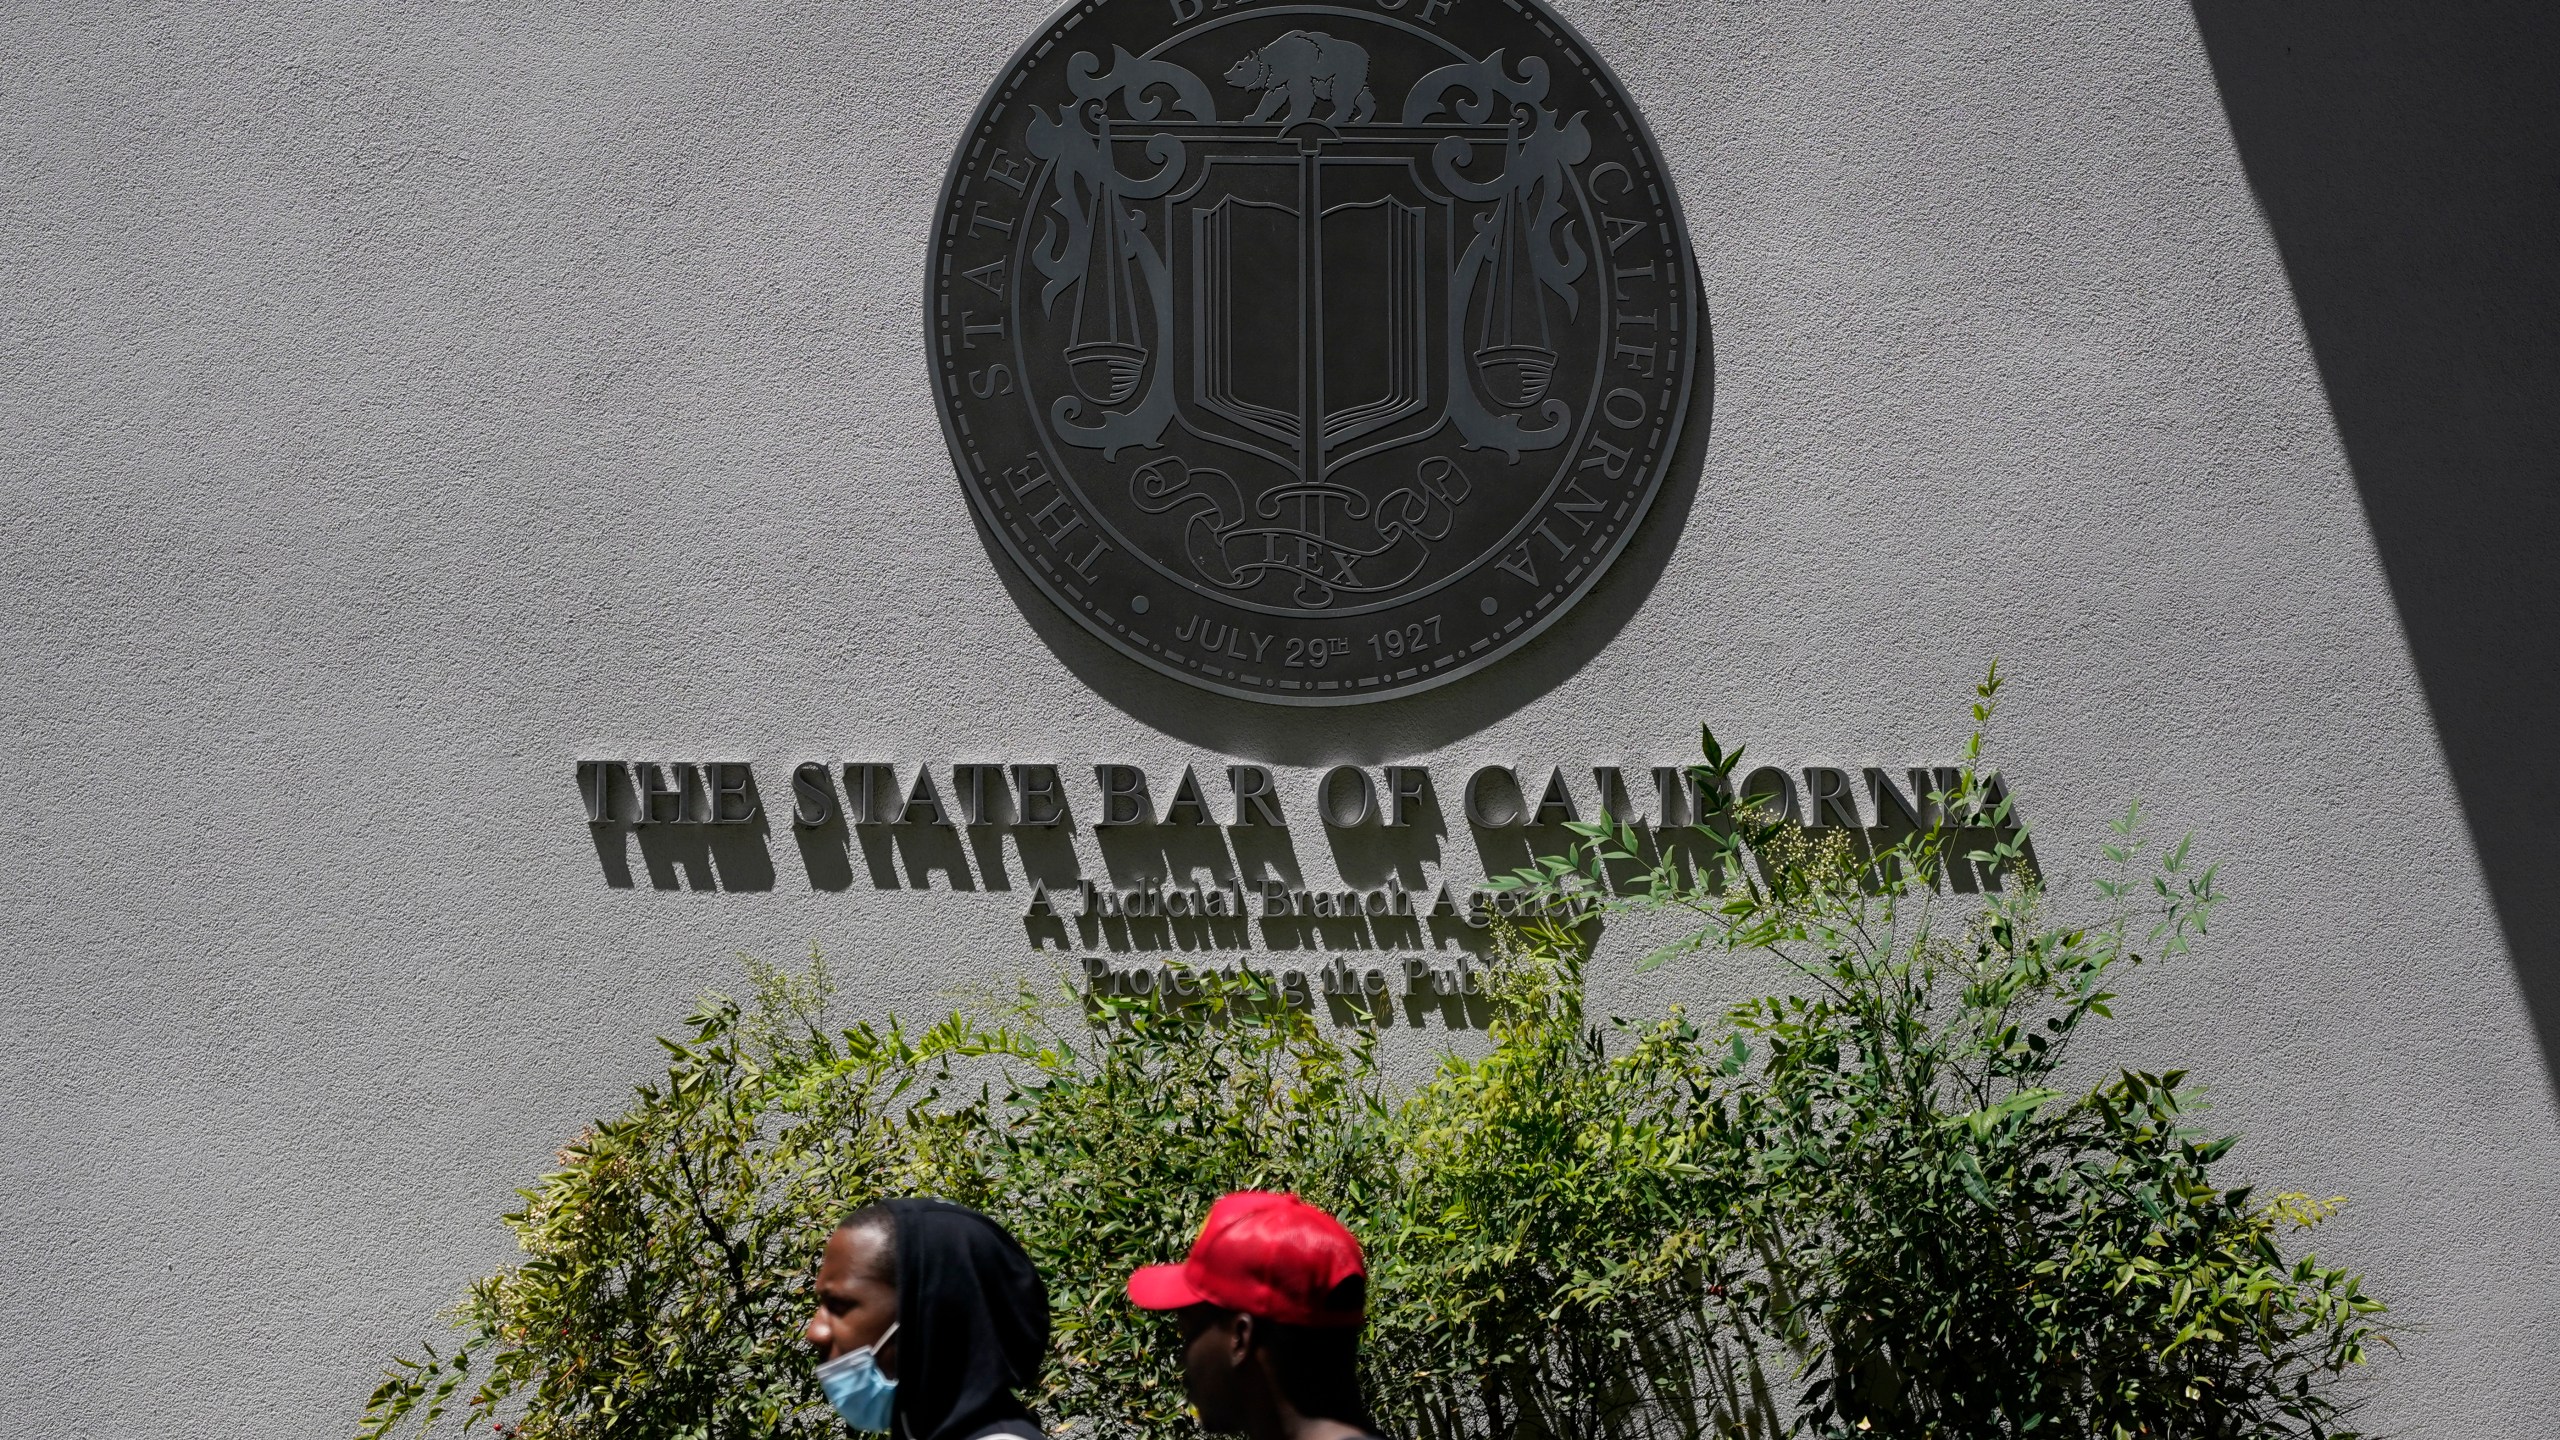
[{"x": 2408, "y": 160}]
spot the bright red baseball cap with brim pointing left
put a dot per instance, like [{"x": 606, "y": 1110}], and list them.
[{"x": 1266, "y": 1254}]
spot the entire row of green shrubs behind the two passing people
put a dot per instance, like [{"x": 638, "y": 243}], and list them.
[{"x": 1862, "y": 1208}]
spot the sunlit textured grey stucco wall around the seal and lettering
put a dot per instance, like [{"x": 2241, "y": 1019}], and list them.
[{"x": 401, "y": 401}]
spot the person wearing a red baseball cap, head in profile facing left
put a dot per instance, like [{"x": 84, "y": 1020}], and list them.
[{"x": 1271, "y": 1298}]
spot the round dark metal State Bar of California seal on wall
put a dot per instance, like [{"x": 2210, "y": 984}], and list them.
[{"x": 1312, "y": 352}]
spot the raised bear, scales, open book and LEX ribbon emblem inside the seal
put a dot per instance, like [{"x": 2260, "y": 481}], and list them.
[{"x": 1320, "y": 314}]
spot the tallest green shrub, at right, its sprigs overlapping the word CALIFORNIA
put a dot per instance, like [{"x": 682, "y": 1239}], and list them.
[{"x": 1947, "y": 1241}]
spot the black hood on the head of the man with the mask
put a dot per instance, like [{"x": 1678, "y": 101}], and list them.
[{"x": 974, "y": 1323}]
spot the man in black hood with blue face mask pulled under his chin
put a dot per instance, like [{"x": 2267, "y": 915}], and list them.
[{"x": 931, "y": 1321}]
